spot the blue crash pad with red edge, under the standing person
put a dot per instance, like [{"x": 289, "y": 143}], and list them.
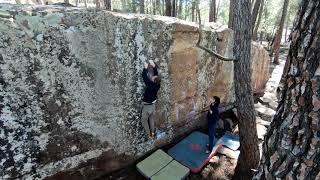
[{"x": 191, "y": 151}]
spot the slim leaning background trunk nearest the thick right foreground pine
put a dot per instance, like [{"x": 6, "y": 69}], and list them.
[{"x": 277, "y": 41}]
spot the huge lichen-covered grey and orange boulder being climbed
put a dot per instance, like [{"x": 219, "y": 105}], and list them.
[{"x": 71, "y": 86}]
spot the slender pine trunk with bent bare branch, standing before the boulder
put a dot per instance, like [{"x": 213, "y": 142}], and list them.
[{"x": 249, "y": 150}]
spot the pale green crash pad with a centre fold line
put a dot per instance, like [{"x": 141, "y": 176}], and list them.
[{"x": 160, "y": 165}]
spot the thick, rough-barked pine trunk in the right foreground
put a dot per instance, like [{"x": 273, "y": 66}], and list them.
[{"x": 291, "y": 149}]
